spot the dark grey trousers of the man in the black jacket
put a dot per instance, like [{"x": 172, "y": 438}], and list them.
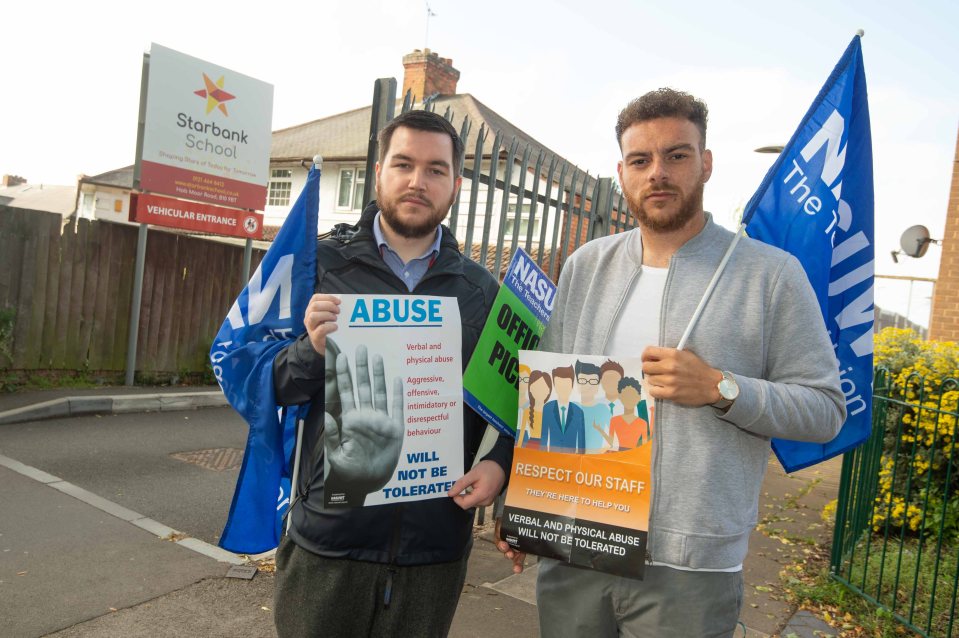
[{"x": 333, "y": 597}]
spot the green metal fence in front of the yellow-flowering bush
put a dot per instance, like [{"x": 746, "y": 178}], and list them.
[{"x": 896, "y": 541}]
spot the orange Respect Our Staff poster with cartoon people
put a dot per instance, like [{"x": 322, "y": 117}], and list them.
[{"x": 580, "y": 482}]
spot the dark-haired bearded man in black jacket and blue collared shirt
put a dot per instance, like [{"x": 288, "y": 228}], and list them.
[{"x": 399, "y": 569}]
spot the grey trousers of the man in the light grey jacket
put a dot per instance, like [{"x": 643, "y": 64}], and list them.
[{"x": 666, "y": 603}]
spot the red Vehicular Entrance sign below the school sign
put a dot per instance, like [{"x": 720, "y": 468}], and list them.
[{"x": 178, "y": 213}]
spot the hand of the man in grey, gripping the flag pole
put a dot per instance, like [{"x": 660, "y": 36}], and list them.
[{"x": 680, "y": 376}]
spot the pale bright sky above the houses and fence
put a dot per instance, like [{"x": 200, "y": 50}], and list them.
[{"x": 560, "y": 70}]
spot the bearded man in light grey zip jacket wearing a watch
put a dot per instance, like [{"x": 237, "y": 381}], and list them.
[{"x": 758, "y": 365}]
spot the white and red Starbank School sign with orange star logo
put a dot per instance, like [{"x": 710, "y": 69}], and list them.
[{"x": 207, "y": 132}]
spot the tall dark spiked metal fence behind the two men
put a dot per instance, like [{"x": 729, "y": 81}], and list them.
[{"x": 514, "y": 193}]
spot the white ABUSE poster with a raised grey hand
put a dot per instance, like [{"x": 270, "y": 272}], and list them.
[{"x": 394, "y": 410}]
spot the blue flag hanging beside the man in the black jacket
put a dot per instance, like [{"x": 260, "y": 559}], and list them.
[{"x": 264, "y": 319}]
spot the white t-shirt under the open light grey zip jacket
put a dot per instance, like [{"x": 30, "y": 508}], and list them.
[{"x": 637, "y": 326}]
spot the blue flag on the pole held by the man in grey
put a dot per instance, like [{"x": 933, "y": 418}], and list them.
[{"x": 816, "y": 202}]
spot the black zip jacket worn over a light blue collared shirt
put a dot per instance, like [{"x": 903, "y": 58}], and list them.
[{"x": 414, "y": 533}]
